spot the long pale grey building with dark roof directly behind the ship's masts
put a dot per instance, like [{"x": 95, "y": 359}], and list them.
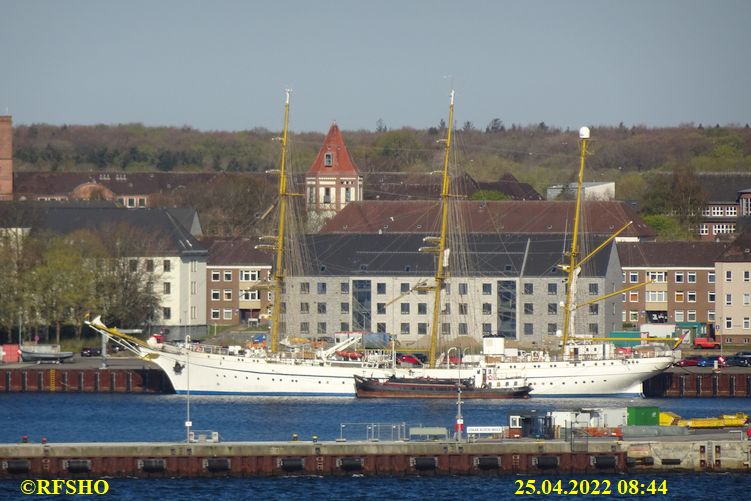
[{"x": 501, "y": 286}]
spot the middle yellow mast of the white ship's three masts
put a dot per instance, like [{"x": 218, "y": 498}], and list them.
[{"x": 440, "y": 249}]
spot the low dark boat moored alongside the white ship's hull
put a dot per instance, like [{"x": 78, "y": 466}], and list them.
[{"x": 420, "y": 387}]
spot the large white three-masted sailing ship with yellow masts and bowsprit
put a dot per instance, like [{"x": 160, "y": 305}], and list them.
[{"x": 588, "y": 366}]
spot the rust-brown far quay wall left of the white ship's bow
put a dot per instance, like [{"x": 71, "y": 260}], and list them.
[{"x": 56, "y": 379}]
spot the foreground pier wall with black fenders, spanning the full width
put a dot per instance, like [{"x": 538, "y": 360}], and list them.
[{"x": 96, "y": 460}]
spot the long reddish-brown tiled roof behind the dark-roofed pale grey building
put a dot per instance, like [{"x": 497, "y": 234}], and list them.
[{"x": 602, "y": 218}]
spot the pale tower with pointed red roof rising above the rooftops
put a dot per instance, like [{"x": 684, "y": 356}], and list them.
[{"x": 332, "y": 180}]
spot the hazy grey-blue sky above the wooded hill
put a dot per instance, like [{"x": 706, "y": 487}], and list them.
[{"x": 224, "y": 64}]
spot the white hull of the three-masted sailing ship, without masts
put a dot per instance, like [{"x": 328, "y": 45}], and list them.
[{"x": 204, "y": 373}]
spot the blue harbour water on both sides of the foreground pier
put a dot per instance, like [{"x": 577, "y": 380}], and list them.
[{"x": 131, "y": 417}]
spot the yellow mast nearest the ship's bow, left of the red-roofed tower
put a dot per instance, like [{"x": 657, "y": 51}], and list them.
[{"x": 277, "y": 244}]
